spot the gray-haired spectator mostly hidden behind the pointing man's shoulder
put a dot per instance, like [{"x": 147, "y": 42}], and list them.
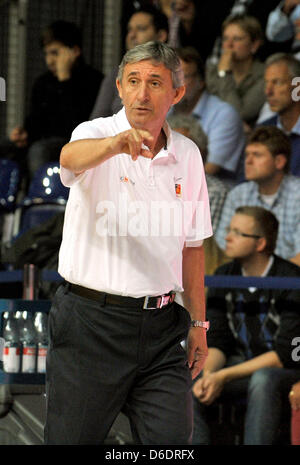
[{"x": 217, "y": 190}]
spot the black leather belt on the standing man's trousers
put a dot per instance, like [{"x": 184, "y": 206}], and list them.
[{"x": 147, "y": 303}]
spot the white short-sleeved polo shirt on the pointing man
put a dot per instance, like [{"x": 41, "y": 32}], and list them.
[{"x": 126, "y": 222}]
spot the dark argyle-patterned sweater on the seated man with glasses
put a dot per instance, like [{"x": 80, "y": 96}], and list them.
[{"x": 251, "y": 323}]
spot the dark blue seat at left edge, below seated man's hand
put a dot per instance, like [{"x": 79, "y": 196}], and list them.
[{"x": 9, "y": 184}]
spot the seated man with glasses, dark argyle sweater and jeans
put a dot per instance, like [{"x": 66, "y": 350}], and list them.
[{"x": 249, "y": 341}]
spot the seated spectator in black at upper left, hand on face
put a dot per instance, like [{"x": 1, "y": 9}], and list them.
[{"x": 61, "y": 99}]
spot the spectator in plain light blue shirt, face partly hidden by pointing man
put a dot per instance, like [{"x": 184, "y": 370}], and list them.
[{"x": 220, "y": 121}]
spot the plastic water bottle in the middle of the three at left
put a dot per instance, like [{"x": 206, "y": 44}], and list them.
[{"x": 28, "y": 341}]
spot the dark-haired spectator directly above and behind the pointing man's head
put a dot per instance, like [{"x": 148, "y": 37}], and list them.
[{"x": 147, "y": 23}]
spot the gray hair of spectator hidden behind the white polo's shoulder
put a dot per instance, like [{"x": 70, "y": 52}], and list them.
[{"x": 196, "y": 133}]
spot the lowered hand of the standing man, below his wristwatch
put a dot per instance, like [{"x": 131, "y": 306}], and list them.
[{"x": 196, "y": 349}]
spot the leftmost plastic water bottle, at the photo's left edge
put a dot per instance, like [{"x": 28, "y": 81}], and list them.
[{"x": 11, "y": 349}]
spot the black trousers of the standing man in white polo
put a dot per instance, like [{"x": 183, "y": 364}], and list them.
[{"x": 103, "y": 359}]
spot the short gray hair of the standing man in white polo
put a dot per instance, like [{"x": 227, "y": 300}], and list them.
[{"x": 157, "y": 52}]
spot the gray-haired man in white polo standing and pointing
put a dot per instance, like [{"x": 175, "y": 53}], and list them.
[{"x": 135, "y": 221}]
